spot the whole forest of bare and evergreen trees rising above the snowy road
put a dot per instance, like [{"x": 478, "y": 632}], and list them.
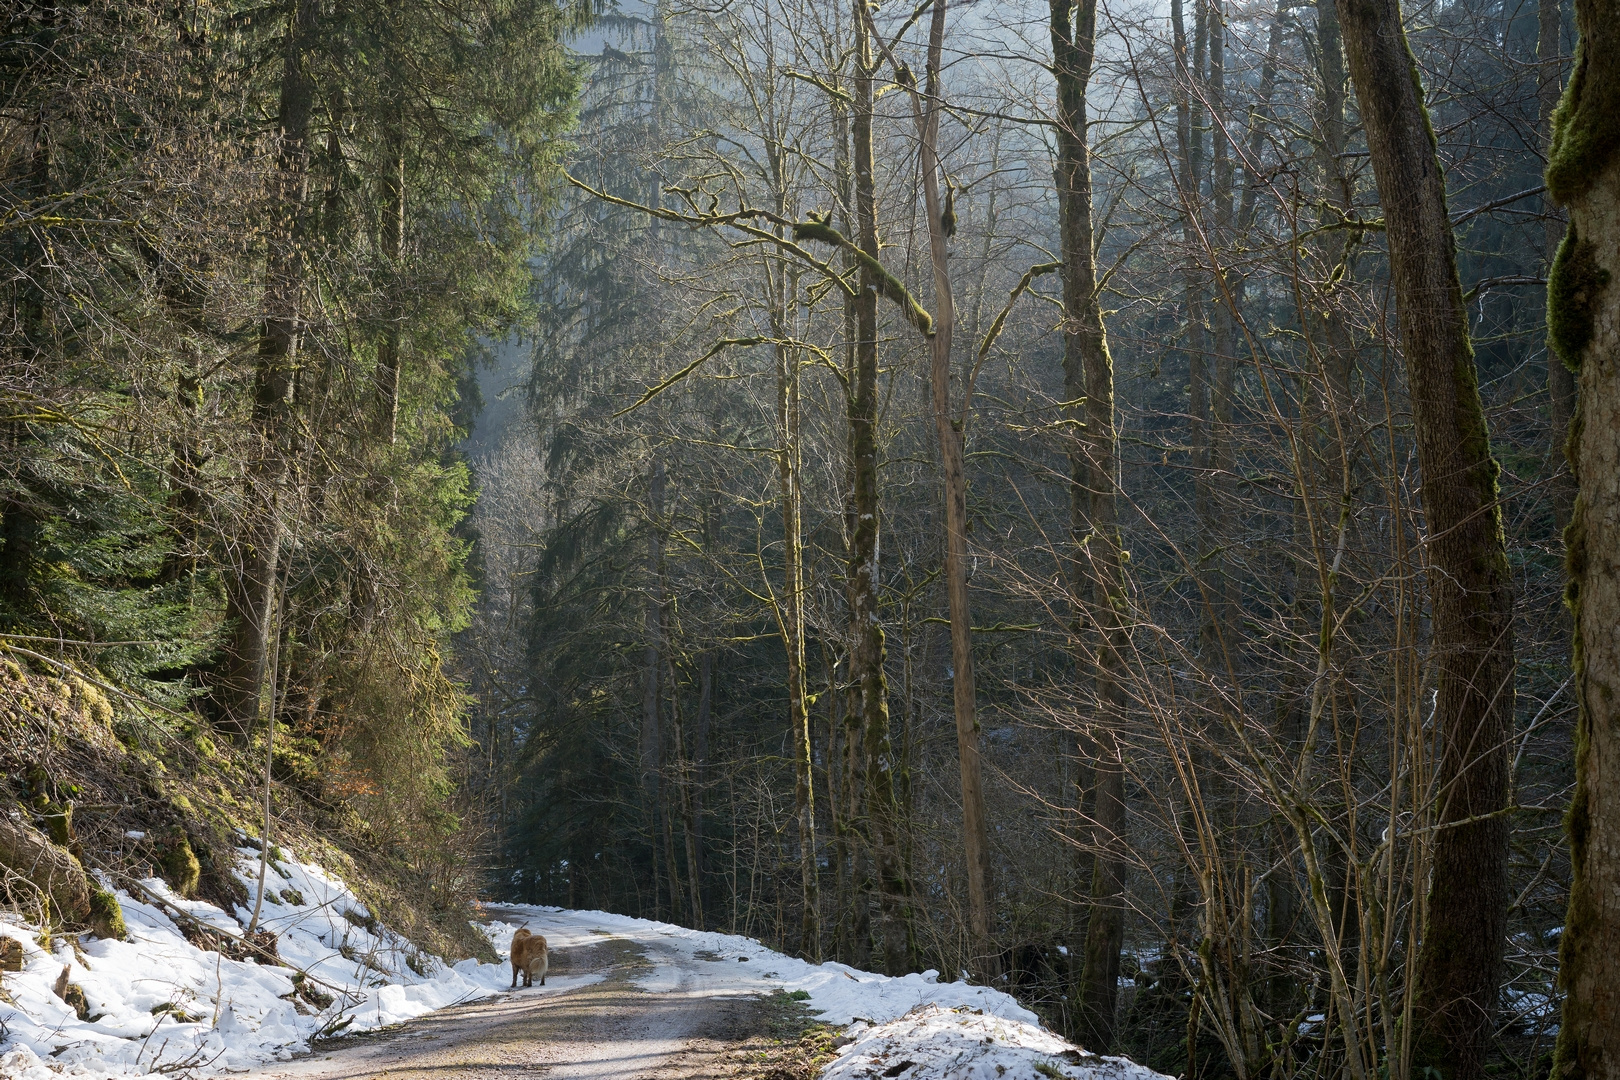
[{"x": 1106, "y": 501}]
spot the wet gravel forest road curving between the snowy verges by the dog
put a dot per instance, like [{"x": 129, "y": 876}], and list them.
[{"x": 607, "y": 1031}]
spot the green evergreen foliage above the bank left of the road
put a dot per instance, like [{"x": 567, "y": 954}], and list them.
[{"x": 143, "y": 202}]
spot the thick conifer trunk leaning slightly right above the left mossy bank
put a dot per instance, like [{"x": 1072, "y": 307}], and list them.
[{"x": 250, "y": 592}]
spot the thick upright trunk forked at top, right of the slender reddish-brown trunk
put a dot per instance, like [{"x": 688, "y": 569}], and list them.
[{"x": 1094, "y": 511}]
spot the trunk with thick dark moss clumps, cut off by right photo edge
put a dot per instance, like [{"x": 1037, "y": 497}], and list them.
[{"x": 1584, "y": 313}]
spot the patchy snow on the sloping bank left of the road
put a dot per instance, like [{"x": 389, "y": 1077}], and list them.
[{"x": 158, "y": 1003}]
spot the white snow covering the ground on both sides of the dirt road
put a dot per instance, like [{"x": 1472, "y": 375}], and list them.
[{"x": 158, "y": 1005}]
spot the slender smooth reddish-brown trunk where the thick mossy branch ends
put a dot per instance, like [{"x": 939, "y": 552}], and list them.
[{"x": 949, "y": 428}]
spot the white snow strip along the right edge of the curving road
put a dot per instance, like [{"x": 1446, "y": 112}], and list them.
[{"x": 911, "y": 1027}]
